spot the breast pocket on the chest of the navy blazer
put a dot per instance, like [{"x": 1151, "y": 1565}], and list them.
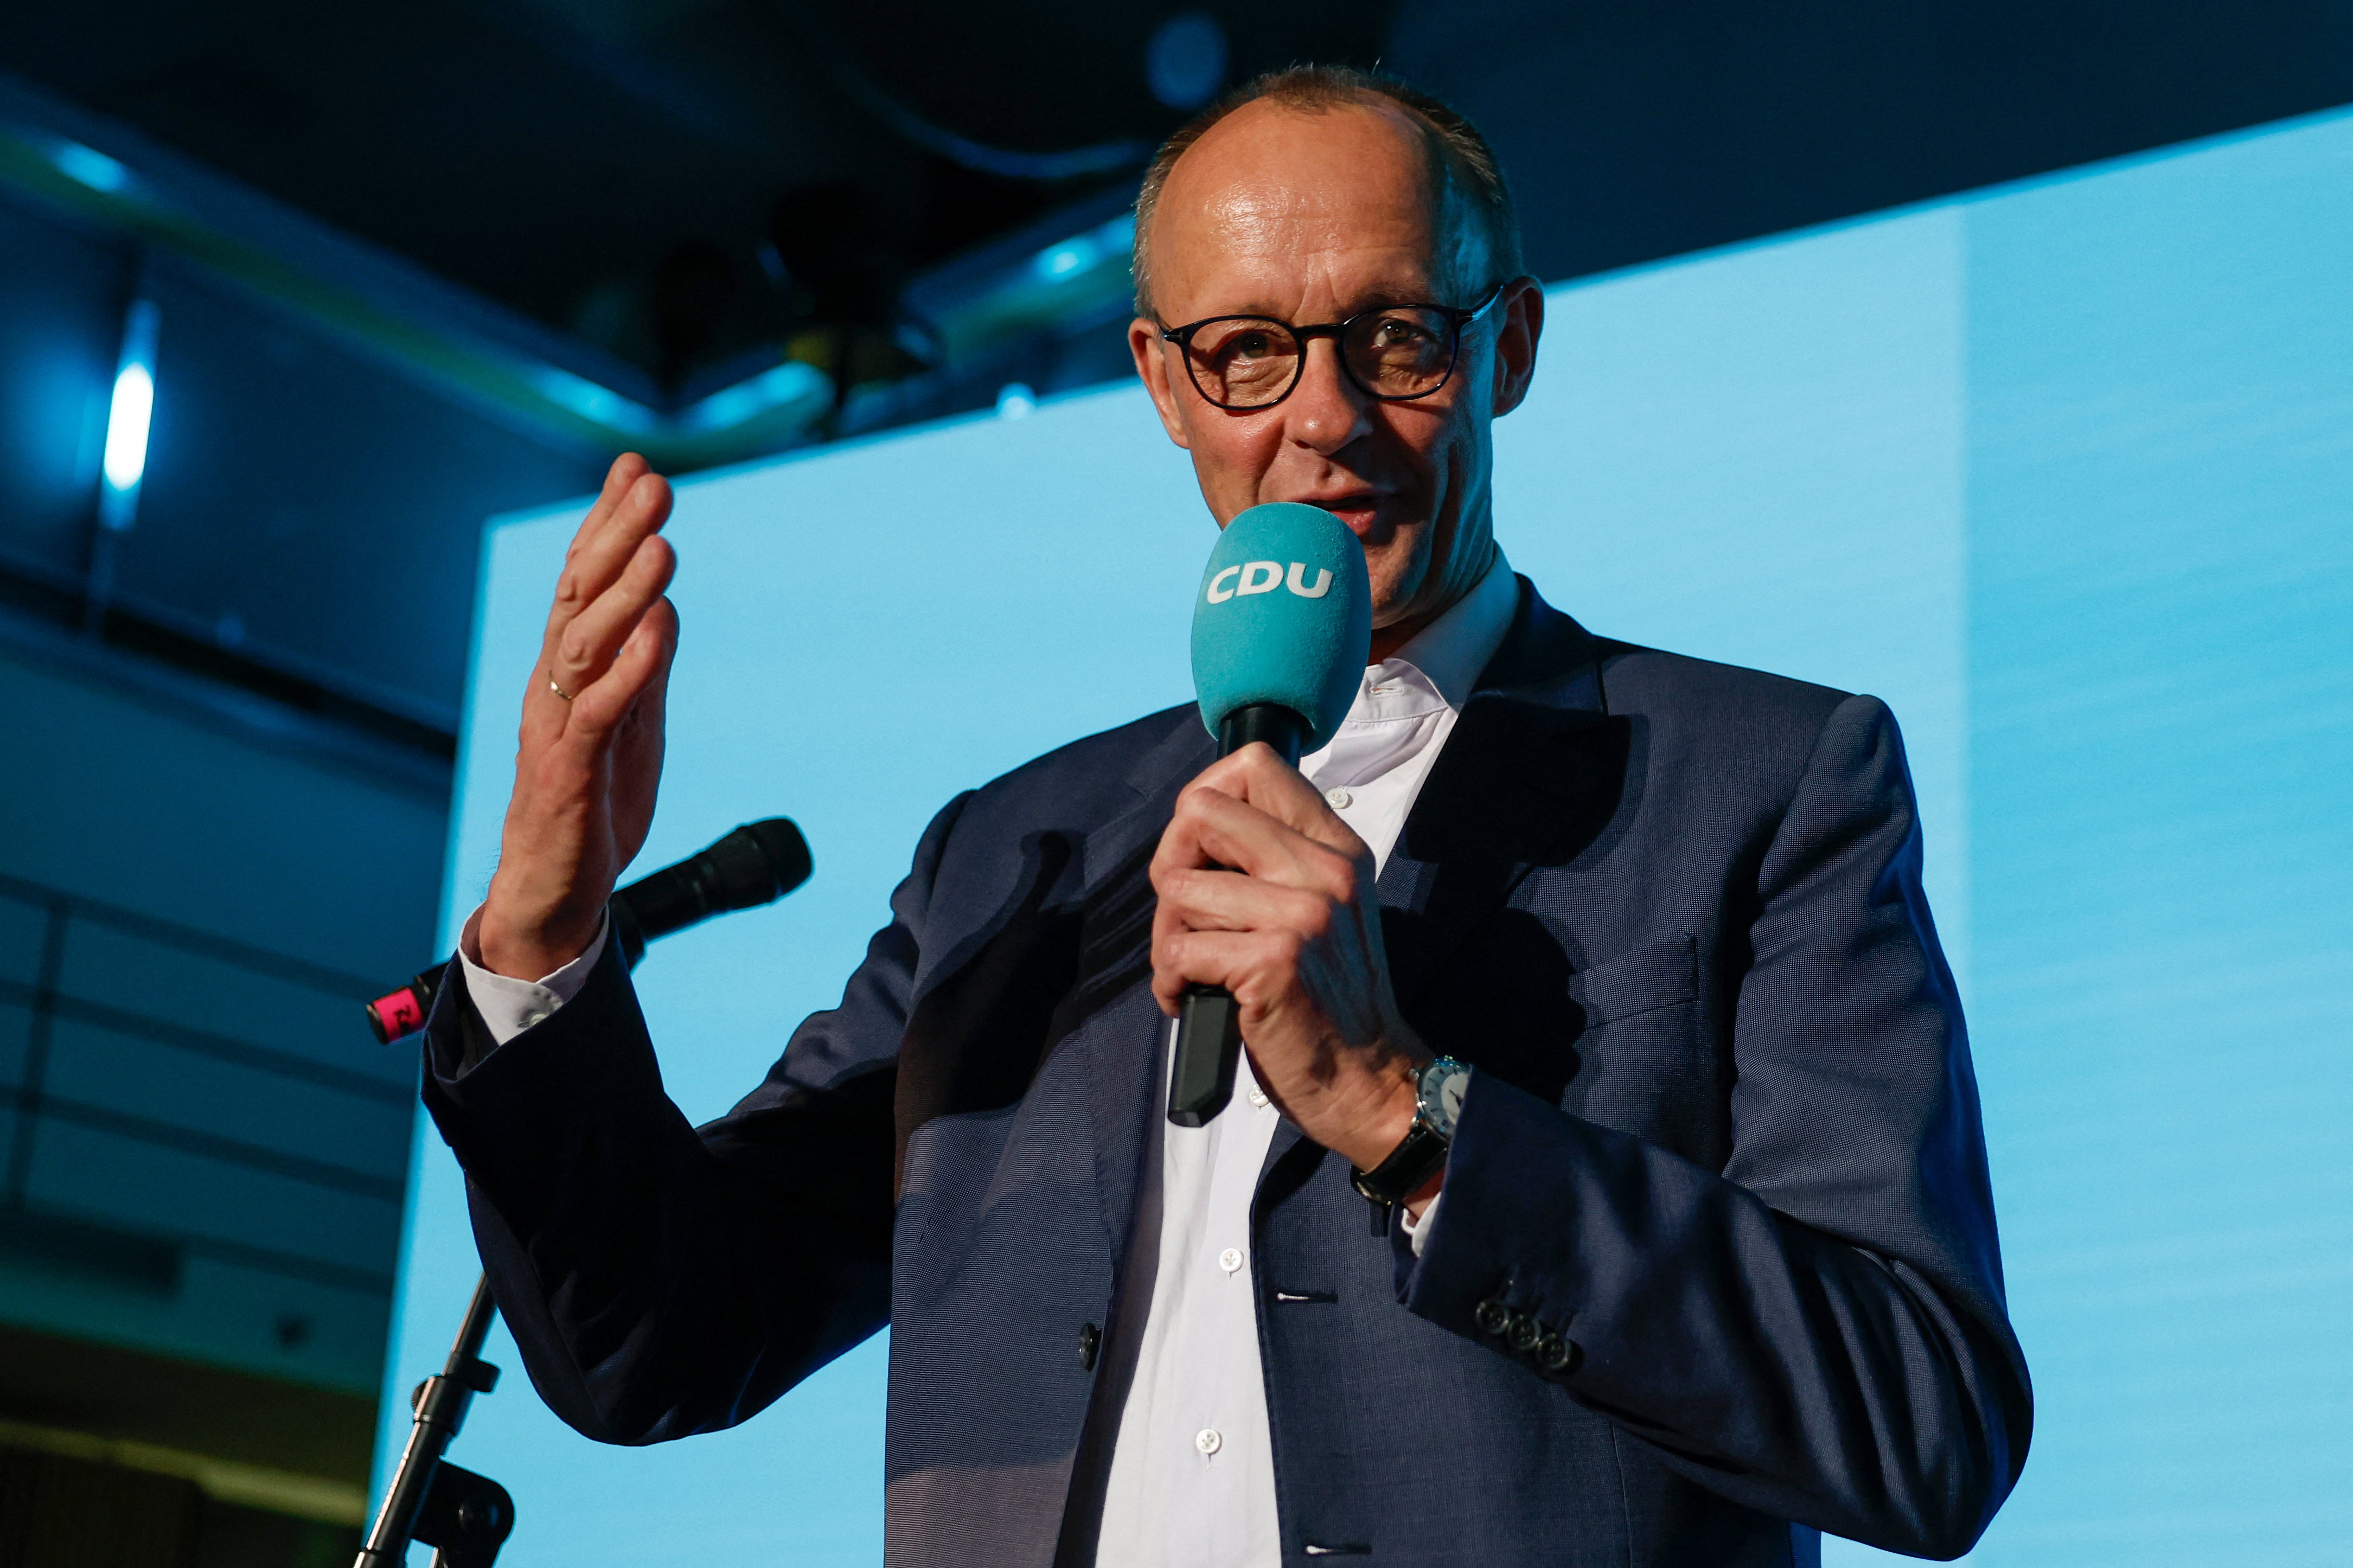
[{"x": 1639, "y": 1061}]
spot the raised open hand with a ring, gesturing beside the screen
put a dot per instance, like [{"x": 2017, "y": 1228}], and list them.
[{"x": 589, "y": 759}]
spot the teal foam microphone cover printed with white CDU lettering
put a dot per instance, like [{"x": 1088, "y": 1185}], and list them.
[{"x": 1284, "y": 616}]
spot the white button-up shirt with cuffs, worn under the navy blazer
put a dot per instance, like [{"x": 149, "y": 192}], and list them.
[{"x": 1192, "y": 1473}]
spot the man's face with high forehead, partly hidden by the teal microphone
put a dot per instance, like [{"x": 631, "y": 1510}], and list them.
[{"x": 1314, "y": 218}]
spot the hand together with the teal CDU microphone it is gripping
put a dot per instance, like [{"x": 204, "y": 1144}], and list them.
[{"x": 1267, "y": 924}]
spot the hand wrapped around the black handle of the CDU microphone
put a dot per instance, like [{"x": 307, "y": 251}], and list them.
[{"x": 1267, "y": 893}]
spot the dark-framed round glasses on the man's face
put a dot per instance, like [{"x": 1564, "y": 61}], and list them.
[{"x": 1394, "y": 354}]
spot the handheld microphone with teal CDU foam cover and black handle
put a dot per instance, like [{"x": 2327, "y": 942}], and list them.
[{"x": 1281, "y": 634}]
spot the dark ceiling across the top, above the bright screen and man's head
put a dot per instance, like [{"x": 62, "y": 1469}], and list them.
[{"x": 684, "y": 182}]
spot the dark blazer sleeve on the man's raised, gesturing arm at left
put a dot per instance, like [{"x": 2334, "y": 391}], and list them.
[{"x": 667, "y": 1280}]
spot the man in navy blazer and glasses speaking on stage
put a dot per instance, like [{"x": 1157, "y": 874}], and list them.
[{"x": 1604, "y": 971}]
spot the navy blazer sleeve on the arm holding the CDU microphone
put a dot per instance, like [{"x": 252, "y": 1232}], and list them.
[{"x": 1818, "y": 1329}]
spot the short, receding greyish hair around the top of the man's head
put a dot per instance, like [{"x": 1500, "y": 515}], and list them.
[{"x": 1462, "y": 154}]
